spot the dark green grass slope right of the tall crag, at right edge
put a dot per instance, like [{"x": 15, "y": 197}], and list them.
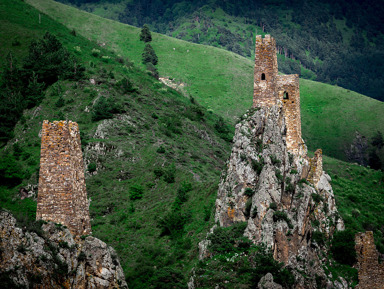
[{"x": 359, "y": 195}]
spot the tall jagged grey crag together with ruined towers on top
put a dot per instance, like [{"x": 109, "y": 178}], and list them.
[{"x": 292, "y": 197}]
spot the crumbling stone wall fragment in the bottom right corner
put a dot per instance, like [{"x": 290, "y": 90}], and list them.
[{"x": 371, "y": 272}]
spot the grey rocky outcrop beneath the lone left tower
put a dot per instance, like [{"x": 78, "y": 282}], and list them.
[{"x": 48, "y": 256}]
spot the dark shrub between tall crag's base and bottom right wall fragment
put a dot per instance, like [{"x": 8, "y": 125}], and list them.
[{"x": 343, "y": 247}]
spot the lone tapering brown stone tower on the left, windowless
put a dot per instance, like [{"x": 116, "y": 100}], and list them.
[{"x": 62, "y": 196}]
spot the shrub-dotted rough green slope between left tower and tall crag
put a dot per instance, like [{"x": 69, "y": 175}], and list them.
[{"x": 159, "y": 148}]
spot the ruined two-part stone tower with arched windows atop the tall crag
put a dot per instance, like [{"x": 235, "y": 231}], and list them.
[{"x": 269, "y": 87}]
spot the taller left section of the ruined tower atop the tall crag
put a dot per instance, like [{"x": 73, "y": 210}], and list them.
[{"x": 265, "y": 63}]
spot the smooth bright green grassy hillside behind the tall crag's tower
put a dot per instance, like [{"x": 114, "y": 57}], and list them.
[{"x": 222, "y": 81}]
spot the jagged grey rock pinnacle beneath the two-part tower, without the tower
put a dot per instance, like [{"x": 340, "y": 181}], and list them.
[{"x": 266, "y": 186}]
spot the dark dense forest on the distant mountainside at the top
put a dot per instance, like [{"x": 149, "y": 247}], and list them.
[{"x": 337, "y": 42}]
